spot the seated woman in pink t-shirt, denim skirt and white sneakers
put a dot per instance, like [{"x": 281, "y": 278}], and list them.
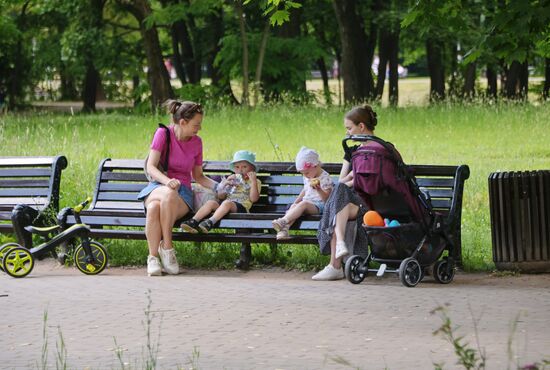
[{"x": 169, "y": 196}]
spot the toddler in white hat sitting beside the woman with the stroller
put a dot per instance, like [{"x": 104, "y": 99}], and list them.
[{"x": 312, "y": 198}]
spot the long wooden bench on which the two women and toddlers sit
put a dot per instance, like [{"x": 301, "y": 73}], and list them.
[{"x": 116, "y": 213}]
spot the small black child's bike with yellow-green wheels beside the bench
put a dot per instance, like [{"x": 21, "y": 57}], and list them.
[{"x": 90, "y": 257}]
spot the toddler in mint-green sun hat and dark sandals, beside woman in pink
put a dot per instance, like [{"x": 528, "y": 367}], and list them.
[{"x": 237, "y": 193}]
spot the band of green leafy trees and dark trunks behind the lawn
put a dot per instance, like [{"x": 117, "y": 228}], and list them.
[{"x": 256, "y": 52}]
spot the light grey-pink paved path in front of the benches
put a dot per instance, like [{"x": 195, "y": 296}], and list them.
[{"x": 266, "y": 320}]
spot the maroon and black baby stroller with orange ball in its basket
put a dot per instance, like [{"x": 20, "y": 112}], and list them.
[{"x": 386, "y": 185}]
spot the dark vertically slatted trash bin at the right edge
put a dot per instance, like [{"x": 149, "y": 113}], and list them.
[{"x": 520, "y": 220}]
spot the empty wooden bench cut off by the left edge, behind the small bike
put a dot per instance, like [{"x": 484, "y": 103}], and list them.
[{"x": 33, "y": 181}]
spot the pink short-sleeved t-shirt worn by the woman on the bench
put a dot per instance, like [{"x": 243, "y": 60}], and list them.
[{"x": 184, "y": 155}]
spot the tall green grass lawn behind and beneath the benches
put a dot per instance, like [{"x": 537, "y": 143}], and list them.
[{"x": 487, "y": 138}]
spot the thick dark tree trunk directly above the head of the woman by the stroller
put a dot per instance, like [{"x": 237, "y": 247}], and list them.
[{"x": 356, "y": 64}]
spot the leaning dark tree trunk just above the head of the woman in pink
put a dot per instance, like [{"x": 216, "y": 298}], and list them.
[{"x": 157, "y": 75}]
